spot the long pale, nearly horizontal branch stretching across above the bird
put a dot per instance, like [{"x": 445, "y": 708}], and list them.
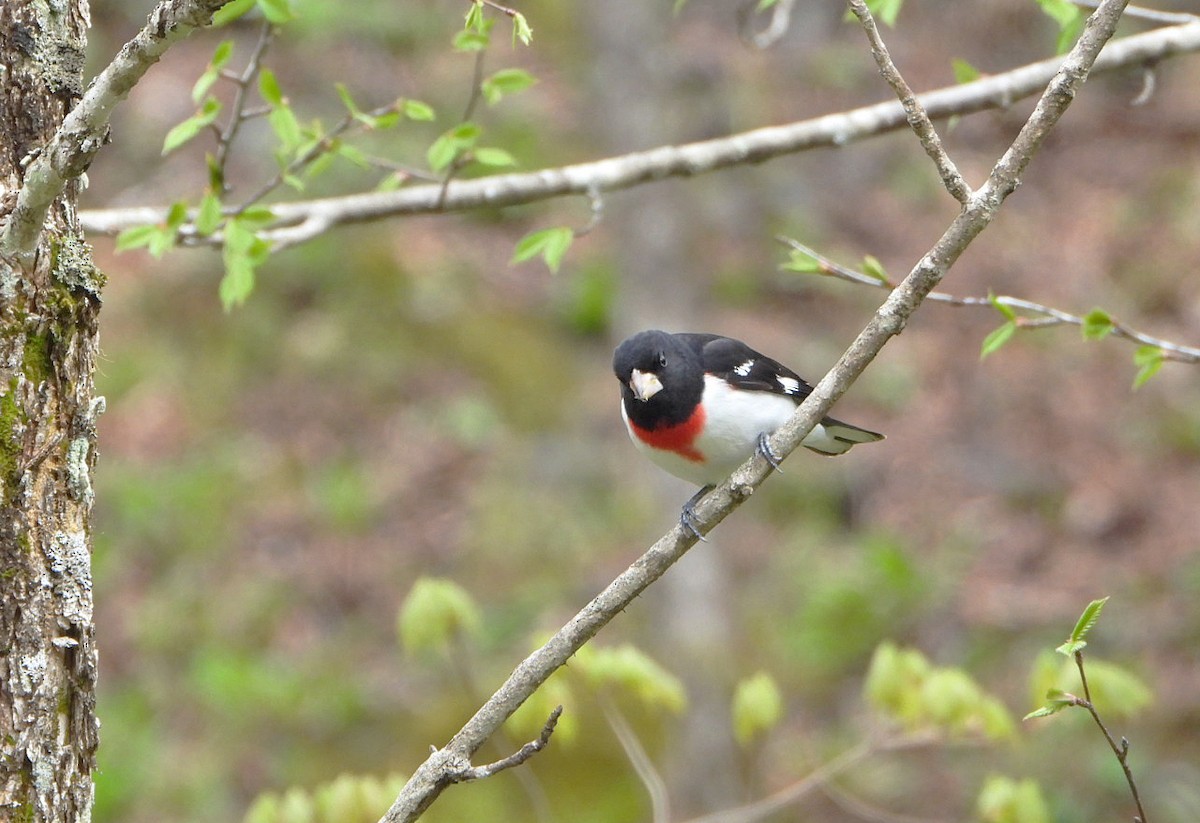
[{"x": 302, "y": 221}]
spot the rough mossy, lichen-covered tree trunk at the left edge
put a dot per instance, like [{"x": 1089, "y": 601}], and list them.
[{"x": 50, "y": 303}]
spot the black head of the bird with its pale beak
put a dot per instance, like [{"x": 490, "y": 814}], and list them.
[{"x": 662, "y": 377}]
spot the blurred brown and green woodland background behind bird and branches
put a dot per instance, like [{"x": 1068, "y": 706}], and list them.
[{"x": 397, "y": 401}]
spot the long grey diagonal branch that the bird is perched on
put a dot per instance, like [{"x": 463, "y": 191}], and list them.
[{"x": 431, "y": 778}]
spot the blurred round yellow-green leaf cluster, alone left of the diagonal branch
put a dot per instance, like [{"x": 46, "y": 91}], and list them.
[{"x": 436, "y": 612}]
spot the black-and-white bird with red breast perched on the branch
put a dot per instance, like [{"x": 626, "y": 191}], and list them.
[{"x": 699, "y": 405}]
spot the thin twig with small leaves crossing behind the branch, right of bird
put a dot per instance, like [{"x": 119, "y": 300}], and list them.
[{"x": 1047, "y": 316}]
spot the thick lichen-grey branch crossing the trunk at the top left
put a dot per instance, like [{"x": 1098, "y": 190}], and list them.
[{"x": 86, "y": 129}]
